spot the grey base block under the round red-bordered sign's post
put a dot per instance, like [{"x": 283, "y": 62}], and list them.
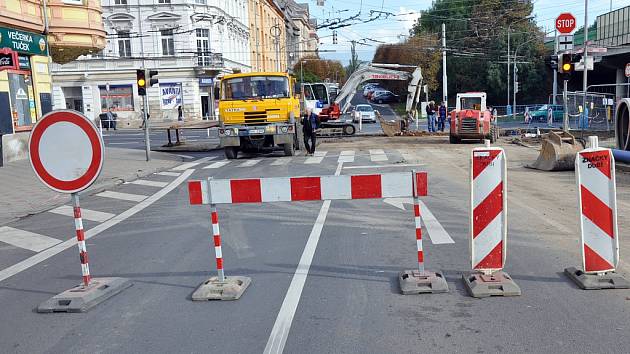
[{"x": 82, "y": 299}]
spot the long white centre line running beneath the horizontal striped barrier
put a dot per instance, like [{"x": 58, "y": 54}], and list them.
[{"x": 282, "y": 326}]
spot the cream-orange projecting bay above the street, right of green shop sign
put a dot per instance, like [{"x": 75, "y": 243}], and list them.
[{"x": 75, "y": 29}]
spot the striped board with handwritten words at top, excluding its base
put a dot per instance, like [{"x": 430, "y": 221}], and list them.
[{"x": 597, "y": 199}]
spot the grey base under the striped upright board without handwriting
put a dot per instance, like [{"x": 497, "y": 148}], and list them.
[{"x": 497, "y": 284}]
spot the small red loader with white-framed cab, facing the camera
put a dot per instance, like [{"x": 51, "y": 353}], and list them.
[{"x": 471, "y": 119}]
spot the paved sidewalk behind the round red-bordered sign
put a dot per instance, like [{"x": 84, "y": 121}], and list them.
[{"x": 23, "y": 194}]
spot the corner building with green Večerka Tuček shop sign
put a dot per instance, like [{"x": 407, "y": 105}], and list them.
[{"x": 29, "y": 41}]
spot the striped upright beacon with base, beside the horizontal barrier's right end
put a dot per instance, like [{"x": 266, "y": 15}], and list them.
[{"x": 488, "y": 224}]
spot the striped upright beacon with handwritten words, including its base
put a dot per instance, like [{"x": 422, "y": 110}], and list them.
[{"x": 597, "y": 200}]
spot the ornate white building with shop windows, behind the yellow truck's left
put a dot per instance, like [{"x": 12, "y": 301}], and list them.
[{"x": 187, "y": 41}]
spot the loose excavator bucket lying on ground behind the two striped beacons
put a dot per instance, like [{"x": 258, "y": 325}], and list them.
[{"x": 558, "y": 152}]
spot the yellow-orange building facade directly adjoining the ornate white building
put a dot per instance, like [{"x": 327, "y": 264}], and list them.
[{"x": 268, "y": 39}]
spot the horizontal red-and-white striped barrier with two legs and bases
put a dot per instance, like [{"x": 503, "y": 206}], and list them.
[{"x": 294, "y": 189}]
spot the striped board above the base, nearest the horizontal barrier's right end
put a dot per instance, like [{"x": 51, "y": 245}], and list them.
[{"x": 488, "y": 214}]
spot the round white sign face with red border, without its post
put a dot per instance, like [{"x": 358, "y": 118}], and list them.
[{"x": 66, "y": 151}]
